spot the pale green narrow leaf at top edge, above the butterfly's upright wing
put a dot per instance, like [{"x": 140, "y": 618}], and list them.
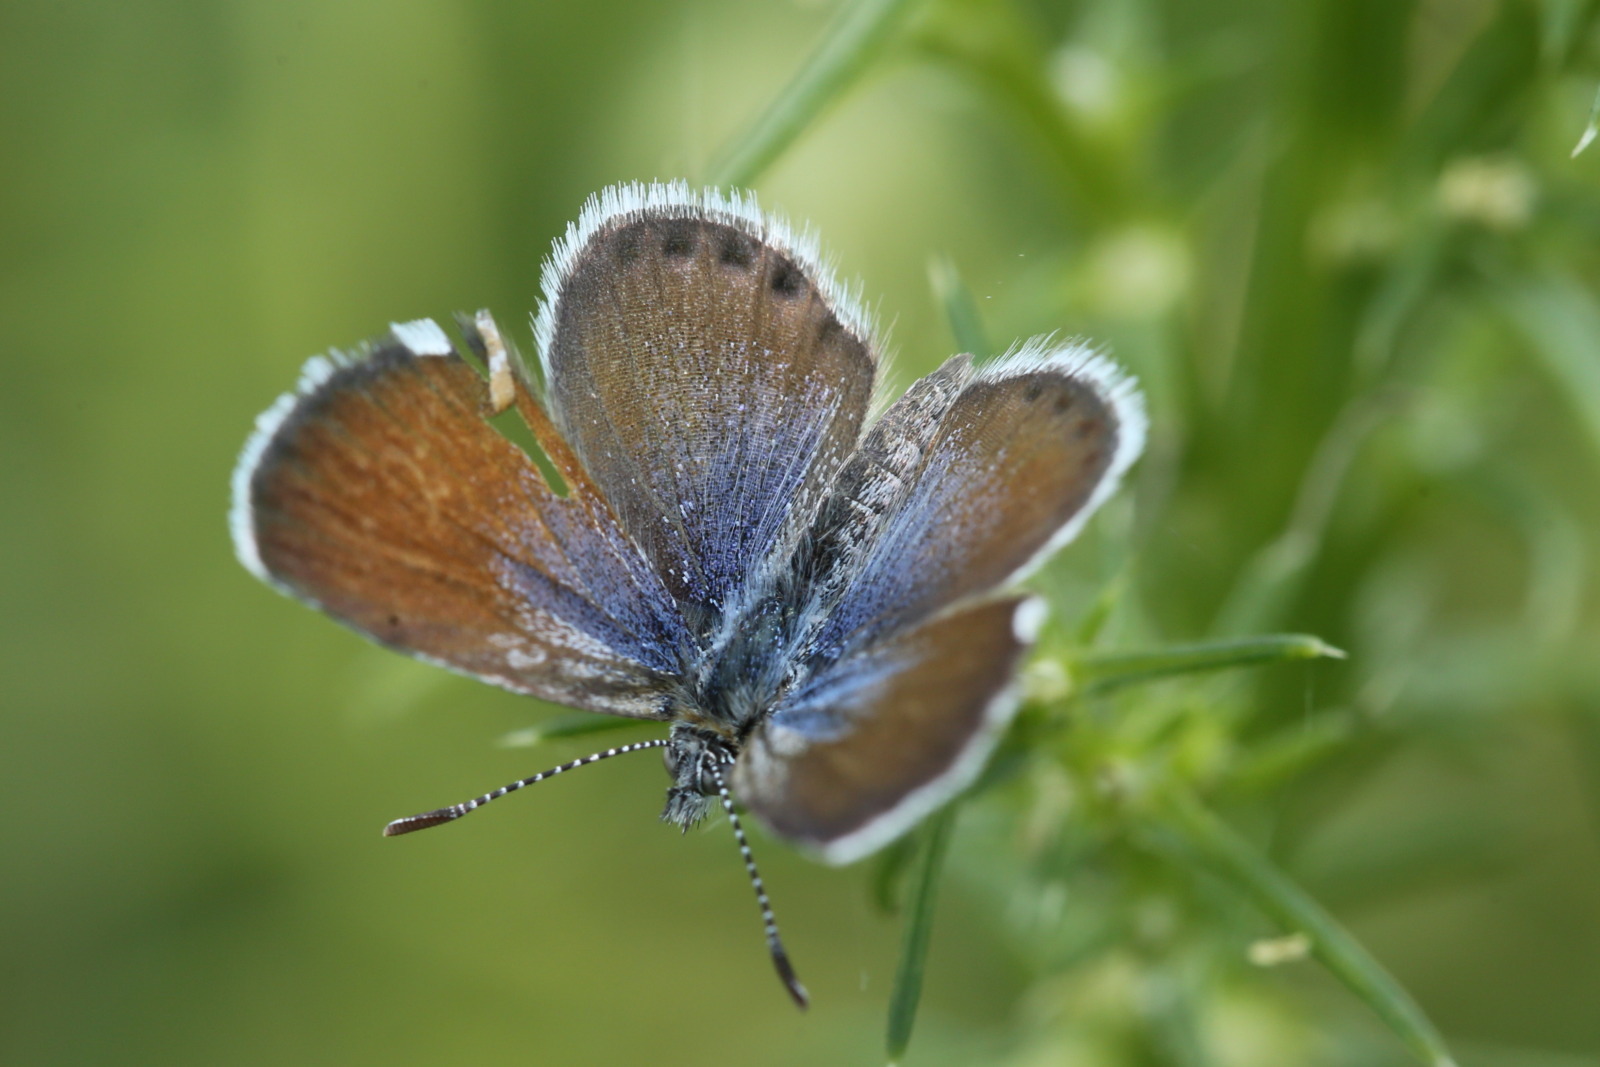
[{"x": 849, "y": 47}]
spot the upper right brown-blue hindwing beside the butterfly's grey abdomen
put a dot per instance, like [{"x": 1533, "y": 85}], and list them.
[{"x": 978, "y": 490}]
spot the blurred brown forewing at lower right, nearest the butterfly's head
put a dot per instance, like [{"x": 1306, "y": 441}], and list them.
[{"x": 887, "y": 735}]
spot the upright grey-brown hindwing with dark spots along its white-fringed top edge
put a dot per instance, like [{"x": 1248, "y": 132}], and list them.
[{"x": 711, "y": 377}]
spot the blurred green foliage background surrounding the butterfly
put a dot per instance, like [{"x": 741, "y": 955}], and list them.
[{"x": 1343, "y": 244}]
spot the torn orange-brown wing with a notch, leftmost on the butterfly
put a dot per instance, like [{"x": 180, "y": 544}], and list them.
[{"x": 382, "y": 495}]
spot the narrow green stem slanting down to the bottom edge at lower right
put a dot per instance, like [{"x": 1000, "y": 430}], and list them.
[{"x": 1236, "y": 860}]
